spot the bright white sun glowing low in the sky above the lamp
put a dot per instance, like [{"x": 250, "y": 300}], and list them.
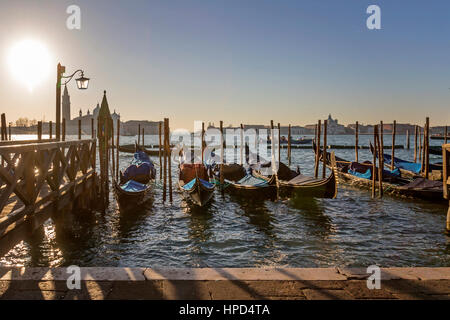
[{"x": 29, "y": 62}]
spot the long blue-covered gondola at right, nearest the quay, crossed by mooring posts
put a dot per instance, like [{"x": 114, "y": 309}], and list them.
[{"x": 360, "y": 174}]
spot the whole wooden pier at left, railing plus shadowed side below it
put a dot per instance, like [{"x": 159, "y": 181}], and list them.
[{"x": 40, "y": 180}]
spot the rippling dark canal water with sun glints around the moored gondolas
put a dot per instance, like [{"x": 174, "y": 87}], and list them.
[{"x": 352, "y": 230}]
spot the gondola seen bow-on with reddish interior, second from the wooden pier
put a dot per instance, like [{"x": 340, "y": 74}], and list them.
[{"x": 194, "y": 183}]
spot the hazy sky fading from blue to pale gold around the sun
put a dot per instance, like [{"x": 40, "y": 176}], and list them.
[{"x": 238, "y": 61}]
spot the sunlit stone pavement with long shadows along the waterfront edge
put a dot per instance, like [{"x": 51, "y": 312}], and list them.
[{"x": 224, "y": 283}]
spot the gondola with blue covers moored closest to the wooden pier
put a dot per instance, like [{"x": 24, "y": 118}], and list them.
[{"x": 133, "y": 187}]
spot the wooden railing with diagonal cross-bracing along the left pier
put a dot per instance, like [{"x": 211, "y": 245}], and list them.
[{"x": 31, "y": 175}]
